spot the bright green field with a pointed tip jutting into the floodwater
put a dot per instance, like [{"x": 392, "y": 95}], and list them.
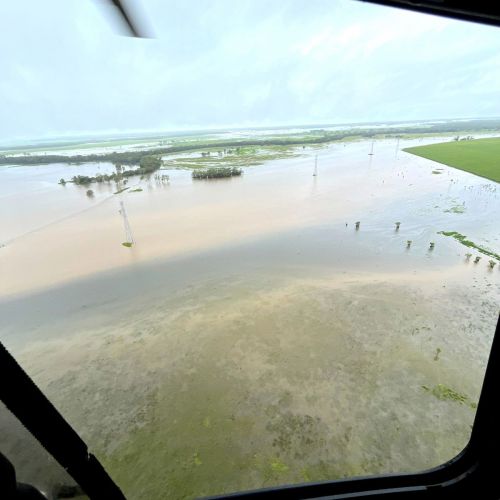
[{"x": 480, "y": 156}]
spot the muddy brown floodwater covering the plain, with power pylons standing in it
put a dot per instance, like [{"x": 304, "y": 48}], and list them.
[{"x": 252, "y": 336}]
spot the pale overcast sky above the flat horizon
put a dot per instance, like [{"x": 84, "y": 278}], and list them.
[{"x": 65, "y": 70}]
